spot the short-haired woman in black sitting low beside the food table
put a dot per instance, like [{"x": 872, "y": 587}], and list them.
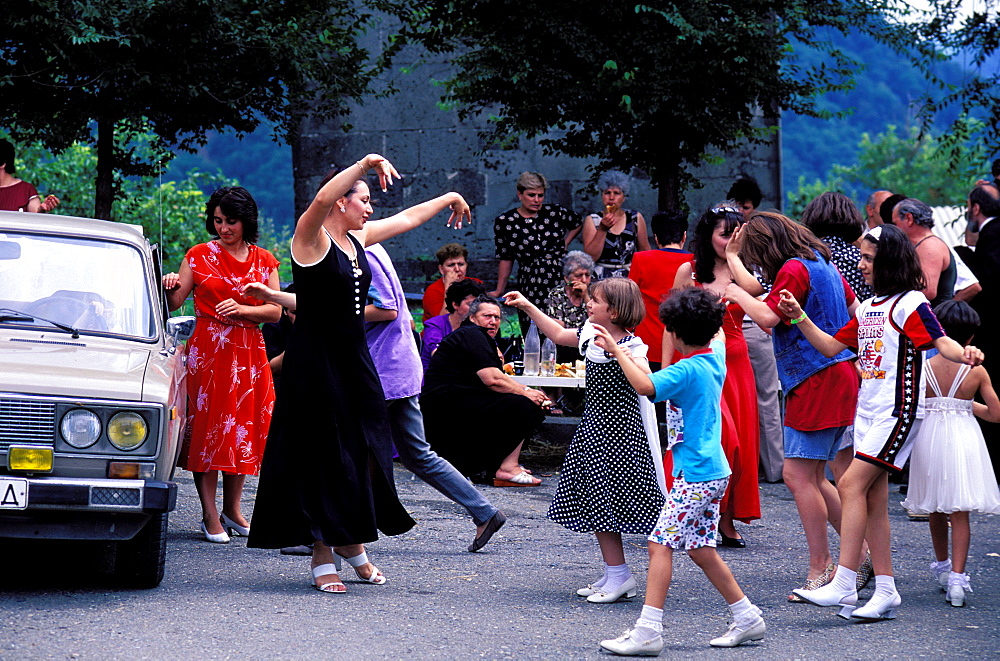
[{"x": 475, "y": 416}]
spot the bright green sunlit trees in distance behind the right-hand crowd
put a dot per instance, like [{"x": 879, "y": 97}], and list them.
[{"x": 939, "y": 170}]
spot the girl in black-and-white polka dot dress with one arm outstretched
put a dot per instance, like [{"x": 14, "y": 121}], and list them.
[{"x": 612, "y": 478}]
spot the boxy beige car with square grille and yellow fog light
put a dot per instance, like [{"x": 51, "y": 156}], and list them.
[{"x": 92, "y": 390}]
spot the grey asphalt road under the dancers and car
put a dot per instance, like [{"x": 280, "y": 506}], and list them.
[{"x": 514, "y": 599}]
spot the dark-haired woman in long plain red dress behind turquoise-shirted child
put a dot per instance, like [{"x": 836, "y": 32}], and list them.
[{"x": 740, "y": 430}]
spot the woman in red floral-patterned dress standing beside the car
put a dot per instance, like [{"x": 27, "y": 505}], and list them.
[{"x": 230, "y": 391}]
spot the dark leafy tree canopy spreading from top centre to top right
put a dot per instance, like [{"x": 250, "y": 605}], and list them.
[{"x": 657, "y": 86}]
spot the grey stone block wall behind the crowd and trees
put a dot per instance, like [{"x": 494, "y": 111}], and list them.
[{"x": 436, "y": 152}]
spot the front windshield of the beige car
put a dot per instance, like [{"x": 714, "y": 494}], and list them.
[{"x": 90, "y": 285}]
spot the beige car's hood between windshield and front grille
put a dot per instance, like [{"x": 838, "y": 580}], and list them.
[{"x": 55, "y": 364}]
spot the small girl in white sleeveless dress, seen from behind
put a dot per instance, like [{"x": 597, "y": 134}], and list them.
[{"x": 950, "y": 470}]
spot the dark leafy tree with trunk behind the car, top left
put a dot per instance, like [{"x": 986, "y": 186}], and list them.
[{"x": 102, "y": 72}]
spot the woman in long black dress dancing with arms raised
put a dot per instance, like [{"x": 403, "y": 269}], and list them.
[{"x": 326, "y": 478}]
